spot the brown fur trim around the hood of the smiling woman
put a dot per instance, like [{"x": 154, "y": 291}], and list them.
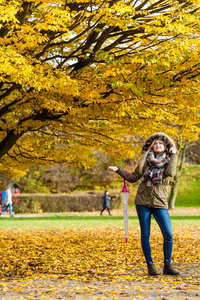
[{"x": 158, "y": 136}]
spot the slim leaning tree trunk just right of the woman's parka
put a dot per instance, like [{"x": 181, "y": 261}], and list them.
[{"x": 181, "y": 160}]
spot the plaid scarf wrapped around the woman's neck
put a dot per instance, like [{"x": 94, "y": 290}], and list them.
[{"x": 156, "y": 165}]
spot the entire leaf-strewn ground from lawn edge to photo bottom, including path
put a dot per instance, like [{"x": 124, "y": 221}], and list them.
[{"x": 95, "y": 263}]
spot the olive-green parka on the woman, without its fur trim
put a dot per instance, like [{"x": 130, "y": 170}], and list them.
[{"x": 157, "y": 194}]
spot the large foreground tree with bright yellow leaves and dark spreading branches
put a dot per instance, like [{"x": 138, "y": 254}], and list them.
[{"x": 78, "y": 75}]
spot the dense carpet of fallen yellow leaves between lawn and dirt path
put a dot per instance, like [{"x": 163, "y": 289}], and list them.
[{"x": 88, "y": 253}]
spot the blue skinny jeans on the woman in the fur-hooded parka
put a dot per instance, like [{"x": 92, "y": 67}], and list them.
[{"x": 162, "y": 217}]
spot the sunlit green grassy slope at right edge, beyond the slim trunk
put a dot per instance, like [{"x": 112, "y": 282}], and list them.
[{"x": 189, "y": 187}]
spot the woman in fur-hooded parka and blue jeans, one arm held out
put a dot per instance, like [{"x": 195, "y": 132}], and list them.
[{"x": 157, "y": 165}]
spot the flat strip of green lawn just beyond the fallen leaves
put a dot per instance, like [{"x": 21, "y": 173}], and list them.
[{"x": 86, "y": 221}]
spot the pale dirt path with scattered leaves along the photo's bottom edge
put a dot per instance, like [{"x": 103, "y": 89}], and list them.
[{"x": 138, "y": 286}]
